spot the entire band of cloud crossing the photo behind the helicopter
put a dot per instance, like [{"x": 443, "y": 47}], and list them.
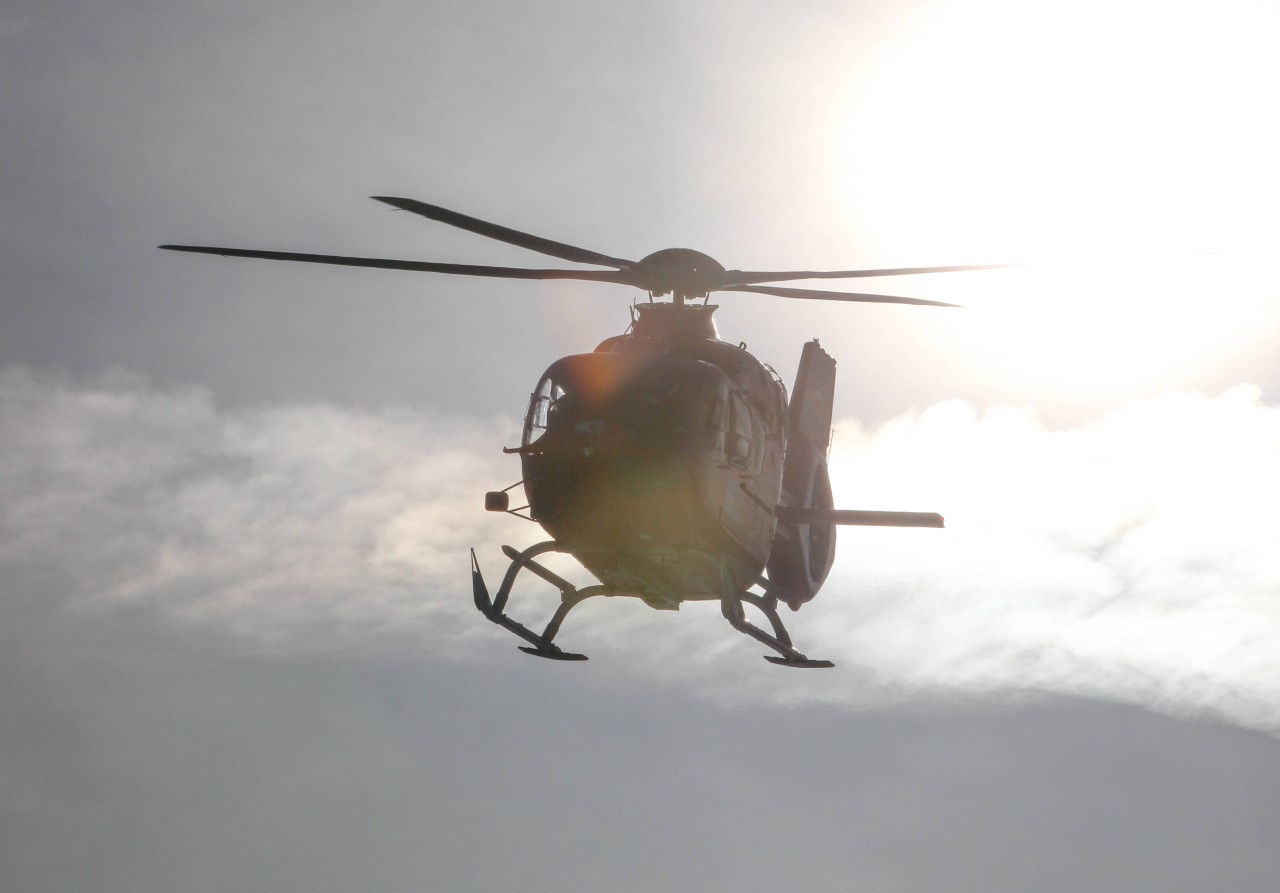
[{"x": 1130, "y": 560}]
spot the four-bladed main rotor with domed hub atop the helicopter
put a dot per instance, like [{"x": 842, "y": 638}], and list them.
[{"x": 682, "y": 273}]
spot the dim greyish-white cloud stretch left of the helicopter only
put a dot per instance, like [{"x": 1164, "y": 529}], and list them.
[{"x": 291, "y": 526}]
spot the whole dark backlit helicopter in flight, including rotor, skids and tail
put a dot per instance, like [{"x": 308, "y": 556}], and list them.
[{"x": 670, "y": 464}]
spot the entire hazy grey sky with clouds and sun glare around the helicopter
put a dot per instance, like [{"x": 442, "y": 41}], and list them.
[{"x": 237, "y": 649}]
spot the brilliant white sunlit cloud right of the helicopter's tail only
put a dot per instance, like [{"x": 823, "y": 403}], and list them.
[{"x": 1132, "y": 558}]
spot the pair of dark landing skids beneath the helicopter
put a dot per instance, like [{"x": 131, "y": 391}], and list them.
[{"x": 542, "y": 645}]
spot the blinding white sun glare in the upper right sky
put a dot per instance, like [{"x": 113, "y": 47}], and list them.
[{"x": 1117, "y": 143}]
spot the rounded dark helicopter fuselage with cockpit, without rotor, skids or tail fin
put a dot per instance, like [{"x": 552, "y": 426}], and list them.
[{"x": 659, "y": 456}]
